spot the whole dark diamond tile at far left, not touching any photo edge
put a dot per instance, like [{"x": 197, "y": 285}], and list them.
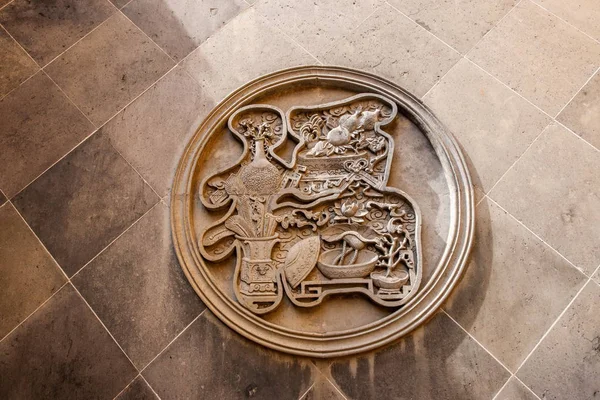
[{"x": 88, "y": 198}]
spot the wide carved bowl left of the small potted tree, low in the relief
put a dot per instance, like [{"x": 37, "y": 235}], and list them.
[{"x": 365, "y": 264}]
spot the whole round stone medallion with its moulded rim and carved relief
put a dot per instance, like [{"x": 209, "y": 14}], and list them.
[{"x": 322, "y": 211}]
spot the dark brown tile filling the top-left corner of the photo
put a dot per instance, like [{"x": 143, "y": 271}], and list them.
[{"x": 47, "y": 28}]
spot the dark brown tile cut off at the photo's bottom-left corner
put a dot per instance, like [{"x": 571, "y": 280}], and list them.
[{"x": 62, "y": 352}]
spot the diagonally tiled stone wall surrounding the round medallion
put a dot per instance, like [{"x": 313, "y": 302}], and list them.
[{"x": 99, "y": 98}]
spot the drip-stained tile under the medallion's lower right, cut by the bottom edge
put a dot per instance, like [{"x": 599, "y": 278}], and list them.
[{"x": 437, "y": 361}]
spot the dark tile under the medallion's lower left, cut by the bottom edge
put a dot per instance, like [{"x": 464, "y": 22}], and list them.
[{"x": 209, "y": 360}]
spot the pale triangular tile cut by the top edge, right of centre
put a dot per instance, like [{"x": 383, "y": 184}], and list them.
[{"x": 461, "y": 24}]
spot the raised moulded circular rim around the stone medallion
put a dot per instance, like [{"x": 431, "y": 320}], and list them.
[{"x": 341, "y": 343}]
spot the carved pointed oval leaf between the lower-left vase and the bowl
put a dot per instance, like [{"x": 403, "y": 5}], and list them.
[{"x": 301, "y": 259}]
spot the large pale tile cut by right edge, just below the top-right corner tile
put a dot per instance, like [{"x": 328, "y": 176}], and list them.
[{"x": 538, "y": 55}]
